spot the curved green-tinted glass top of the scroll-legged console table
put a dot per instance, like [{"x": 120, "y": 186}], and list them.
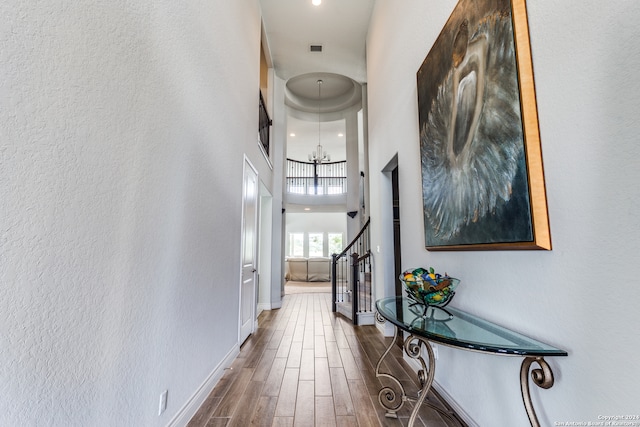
[{"x": 456, "y": 328}]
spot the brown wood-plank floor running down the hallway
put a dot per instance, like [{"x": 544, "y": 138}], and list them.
[{"x": 306, "y": 366}]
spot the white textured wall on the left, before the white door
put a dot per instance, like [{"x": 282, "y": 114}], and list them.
[{"x": 122, "y": 130}]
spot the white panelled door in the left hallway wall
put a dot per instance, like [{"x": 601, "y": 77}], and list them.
[{"x": 249, "y": 251}]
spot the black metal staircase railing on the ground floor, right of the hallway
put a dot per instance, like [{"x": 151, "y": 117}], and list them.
[{"x": 351, "y": 276}]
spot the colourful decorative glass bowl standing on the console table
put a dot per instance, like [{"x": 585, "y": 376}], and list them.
[{"x": 425, "y": 286}]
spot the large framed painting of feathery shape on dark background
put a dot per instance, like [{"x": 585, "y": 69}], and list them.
[{"x": 482, "y": 174}]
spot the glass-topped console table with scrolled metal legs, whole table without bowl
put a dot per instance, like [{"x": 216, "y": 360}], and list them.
[{"x": 455, "y": 328}]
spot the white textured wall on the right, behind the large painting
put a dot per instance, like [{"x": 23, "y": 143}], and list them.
[{"x": 583, "y": 296}]
